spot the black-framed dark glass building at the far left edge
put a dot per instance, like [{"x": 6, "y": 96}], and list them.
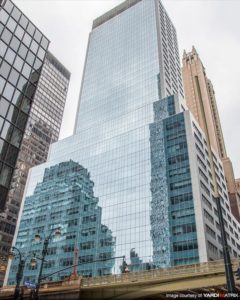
[{"x": 23, "y": 49}]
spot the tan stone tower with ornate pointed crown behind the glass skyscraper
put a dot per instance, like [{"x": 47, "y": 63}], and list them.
[{"x": 200, "y": 98}]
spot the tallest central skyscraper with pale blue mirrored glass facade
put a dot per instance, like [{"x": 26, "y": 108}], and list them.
[{"x": 147, "y": 156}]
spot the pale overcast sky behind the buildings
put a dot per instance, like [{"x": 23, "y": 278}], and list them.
[{"x": 212, "y": 26}]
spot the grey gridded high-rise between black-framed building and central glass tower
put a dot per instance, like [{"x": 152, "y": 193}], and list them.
[{"x": 42, "y": 129}]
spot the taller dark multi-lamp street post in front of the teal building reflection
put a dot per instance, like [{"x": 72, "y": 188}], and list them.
[{"x": 42, "y": 258}]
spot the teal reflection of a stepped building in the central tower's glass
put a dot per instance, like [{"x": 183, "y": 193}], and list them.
[{"x": 65, "y": 198}]
